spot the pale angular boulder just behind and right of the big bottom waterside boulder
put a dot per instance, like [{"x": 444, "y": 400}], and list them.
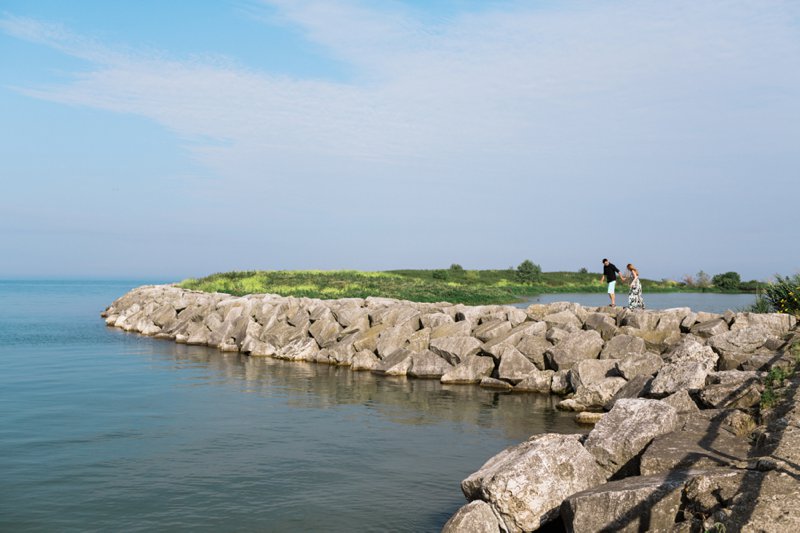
[{"x": 619, "y": 438}]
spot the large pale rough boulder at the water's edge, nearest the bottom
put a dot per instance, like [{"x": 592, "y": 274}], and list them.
[{"x": 525, "y": 484}]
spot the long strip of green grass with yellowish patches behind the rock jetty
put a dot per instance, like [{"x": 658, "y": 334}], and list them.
[{"x": 473, "y": 287}]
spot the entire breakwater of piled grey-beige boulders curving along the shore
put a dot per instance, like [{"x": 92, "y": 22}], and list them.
[{"x": 677, "y": 444}]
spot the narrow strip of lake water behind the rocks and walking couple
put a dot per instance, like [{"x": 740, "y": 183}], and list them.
[{"x": 698, "y": 301}]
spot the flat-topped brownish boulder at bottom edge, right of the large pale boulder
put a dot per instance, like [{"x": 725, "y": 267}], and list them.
[{"x": 647, "y": 503}]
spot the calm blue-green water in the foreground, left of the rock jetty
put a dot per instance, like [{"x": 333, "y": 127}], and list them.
[{"x": 104, "y": 430}]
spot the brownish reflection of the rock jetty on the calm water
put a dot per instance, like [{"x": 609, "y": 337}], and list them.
[{"x": 399, "y": 399}]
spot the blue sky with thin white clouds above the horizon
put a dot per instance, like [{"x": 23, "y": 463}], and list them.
[{"x": 143, "y": 138}]
